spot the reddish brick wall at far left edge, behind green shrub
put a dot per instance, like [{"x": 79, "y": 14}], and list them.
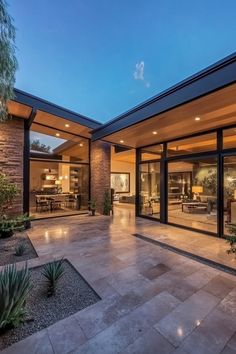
[{"x": 11, "y": 156}]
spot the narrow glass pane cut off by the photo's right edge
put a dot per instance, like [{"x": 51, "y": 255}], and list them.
[{"x": 229, "y": 192}]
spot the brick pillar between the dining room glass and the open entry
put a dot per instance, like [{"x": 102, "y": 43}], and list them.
[{"x": 100, "y": 160}]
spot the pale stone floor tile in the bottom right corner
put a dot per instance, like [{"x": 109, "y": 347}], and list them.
[{"x": 212, "y": 335}]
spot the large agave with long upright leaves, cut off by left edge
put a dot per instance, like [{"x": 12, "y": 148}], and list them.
[{"x": 14, "y": 288}]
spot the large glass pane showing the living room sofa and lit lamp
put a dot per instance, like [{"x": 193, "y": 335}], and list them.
[{"x": 192, "y": 193}]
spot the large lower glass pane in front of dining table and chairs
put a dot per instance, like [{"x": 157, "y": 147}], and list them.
[{"x": 58, "y": 188}]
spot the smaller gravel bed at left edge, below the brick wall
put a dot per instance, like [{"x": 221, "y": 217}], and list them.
[{"x": 7, "y": 249}]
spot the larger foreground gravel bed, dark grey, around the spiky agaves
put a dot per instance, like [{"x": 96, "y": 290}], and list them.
[{"x": 73, "y": 294}]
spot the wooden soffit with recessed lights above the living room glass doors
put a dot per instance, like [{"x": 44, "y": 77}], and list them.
[{"x": 215, "y": 110}]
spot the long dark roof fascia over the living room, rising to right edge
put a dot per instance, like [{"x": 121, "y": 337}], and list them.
[{"x": 214, "y": 77}]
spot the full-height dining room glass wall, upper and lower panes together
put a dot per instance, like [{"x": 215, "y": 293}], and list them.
[{"x": 59, "y": 172}]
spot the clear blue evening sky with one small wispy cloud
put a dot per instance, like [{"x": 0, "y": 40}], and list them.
[{"x": 102, "y": 57}]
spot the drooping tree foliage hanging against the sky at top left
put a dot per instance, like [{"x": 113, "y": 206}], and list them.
[{"x": 8, "y": 61}]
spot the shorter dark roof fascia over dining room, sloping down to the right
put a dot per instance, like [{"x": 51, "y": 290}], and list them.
[{"x": 39, "y": 104}]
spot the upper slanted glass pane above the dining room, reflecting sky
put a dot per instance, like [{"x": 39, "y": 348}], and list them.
[{"x": 48, "y": 143}]
